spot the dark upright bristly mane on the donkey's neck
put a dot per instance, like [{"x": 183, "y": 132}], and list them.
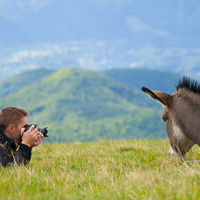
[{"x": 189, "y": 84}]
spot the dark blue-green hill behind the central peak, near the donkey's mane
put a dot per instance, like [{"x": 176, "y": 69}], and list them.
[{"x": 152, "y": 79}]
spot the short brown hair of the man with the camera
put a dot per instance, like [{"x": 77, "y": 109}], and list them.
[{"x": 11, "y": 115}]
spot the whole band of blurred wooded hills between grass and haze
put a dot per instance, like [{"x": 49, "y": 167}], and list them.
[{"x": 85, "y": 105}]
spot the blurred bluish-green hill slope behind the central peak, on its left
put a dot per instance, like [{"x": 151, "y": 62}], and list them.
[{"x": 18, "y": 82}]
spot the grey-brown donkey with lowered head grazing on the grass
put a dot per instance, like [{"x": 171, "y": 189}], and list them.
[{"x": 181, "y": 114}]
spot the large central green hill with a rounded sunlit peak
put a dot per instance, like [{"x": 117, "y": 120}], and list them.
[{"x": 84, "y": 94}]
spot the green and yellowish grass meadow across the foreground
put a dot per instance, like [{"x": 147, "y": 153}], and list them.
[{"x": 129, "y": 169}]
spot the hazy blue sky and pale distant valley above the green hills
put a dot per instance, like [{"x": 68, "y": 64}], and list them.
[{"x": 100, "y": 34}]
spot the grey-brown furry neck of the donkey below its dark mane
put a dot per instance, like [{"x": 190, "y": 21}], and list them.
[{"x": 185, "y": 113}]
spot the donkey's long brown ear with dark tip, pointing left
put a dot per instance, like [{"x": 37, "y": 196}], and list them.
[{"x": 164, "y": 99}]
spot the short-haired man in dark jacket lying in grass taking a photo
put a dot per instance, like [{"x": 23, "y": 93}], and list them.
[{"x": 15, "y": 144}]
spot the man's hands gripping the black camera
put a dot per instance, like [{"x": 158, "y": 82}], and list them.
[{"x": 32, "y": 137}]
